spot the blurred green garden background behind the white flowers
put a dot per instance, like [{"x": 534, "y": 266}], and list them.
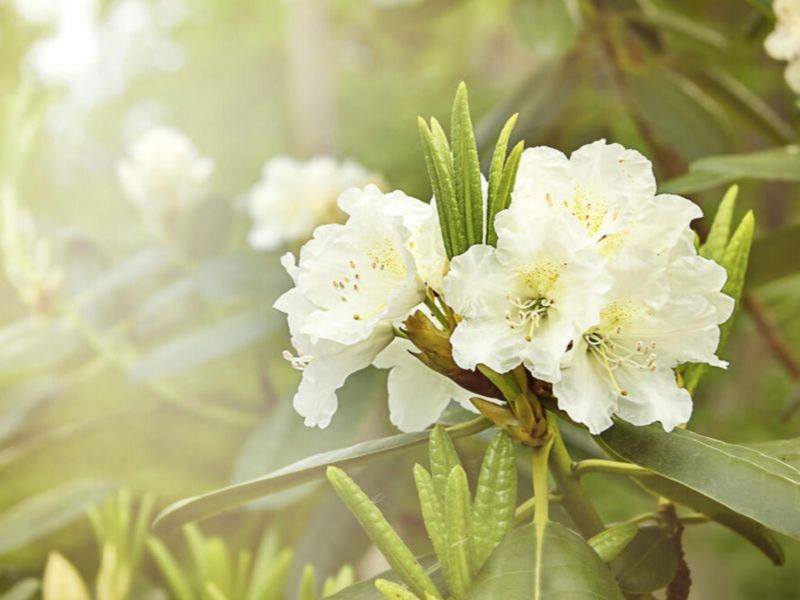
[{"x": 159, "y": 366}]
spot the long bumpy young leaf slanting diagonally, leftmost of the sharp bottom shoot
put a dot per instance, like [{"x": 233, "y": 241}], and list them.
[{"x": 397, "y": 554}]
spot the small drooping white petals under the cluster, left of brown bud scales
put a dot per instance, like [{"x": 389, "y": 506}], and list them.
[{"x": 417, "y": 394}]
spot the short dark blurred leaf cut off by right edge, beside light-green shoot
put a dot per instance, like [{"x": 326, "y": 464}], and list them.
[{"x": 774, "y": 256}]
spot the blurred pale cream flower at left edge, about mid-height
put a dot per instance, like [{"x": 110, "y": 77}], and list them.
[{"x": 29, "y": 258}]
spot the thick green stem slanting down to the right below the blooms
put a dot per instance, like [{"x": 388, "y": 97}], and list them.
[{"x": 575, "y": 499}]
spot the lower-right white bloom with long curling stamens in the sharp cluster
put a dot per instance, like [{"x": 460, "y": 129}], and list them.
[{"x": 648, "y": 326}]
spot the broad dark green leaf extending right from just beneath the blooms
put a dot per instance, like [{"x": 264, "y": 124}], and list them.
[{"x": 744, "y": 480}]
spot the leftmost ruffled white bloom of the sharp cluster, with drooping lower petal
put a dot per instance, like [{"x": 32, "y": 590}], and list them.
[{"x": 353, "y": 281}]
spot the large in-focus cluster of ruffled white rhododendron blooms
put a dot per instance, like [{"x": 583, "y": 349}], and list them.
[{"x": 594, "y": 286}]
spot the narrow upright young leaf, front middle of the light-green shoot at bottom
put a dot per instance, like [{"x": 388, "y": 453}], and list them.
[{"x": 457, "y": 509}]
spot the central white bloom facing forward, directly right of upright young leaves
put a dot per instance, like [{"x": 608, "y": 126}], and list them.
[{"x": 524, "y": 302}]
